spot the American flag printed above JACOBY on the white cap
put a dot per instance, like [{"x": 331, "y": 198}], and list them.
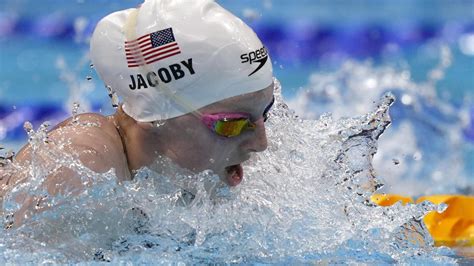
[{"x": 151, "y": 48}]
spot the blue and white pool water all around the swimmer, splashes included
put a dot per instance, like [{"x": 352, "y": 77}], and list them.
[{"x": 330, "y": 58}]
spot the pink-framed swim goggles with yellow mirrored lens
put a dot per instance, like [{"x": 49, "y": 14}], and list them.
[{"x": 232, "y": 124}]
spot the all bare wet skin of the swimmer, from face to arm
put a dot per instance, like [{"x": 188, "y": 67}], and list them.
[{"x": 120, "y": 142}]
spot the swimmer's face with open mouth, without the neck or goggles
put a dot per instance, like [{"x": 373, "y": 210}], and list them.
[{"x": 192, "y": 145}]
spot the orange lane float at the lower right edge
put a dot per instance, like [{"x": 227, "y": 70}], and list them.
[{"x": 453, "y": 227}]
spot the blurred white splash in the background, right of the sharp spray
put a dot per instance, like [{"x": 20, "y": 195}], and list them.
[{"x": 430, "y": 159}]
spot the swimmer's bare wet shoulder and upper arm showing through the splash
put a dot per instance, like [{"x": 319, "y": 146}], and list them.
[{"x": 90, "y": 140}]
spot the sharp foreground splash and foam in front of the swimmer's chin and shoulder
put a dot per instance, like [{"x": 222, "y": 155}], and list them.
[{"x": 305, "y": 199}]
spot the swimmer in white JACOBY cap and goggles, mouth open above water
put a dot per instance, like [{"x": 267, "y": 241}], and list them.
[{"x": 195, "y": 84}]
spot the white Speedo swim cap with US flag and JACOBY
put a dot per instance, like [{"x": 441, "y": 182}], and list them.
[{"x": 167, "y": 58}]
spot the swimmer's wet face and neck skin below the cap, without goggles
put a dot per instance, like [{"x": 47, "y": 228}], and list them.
[{"x": 190, "y": 144}]
